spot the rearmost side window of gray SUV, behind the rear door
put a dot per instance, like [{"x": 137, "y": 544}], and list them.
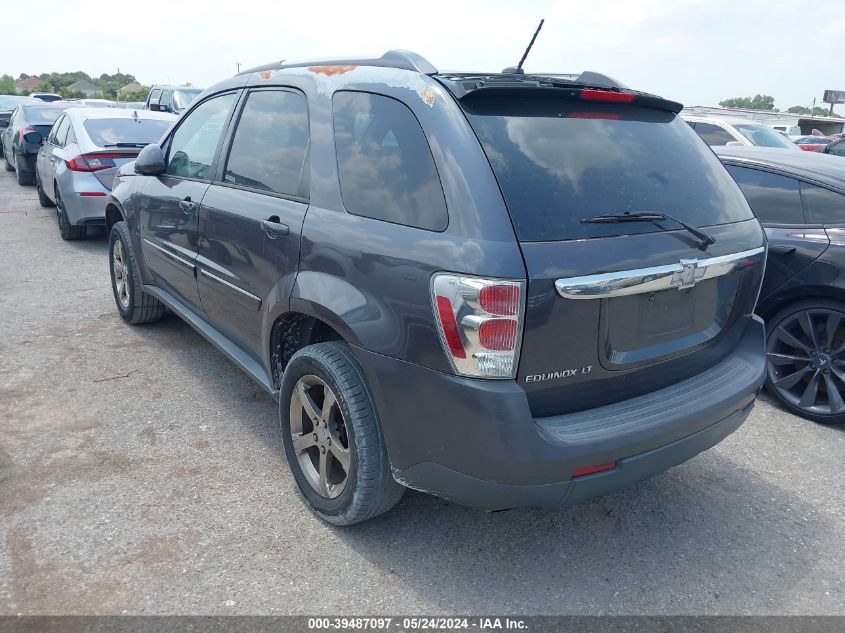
[{"x": 385, "y": 165}]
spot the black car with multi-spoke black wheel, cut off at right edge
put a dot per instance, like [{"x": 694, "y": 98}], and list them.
[{"x": 800, "y": 199}]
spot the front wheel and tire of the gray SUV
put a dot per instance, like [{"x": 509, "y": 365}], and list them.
[{"x": 134, "y": 305}]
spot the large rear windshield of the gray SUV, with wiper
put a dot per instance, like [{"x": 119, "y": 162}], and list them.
[{"x": 558, "y": 162}]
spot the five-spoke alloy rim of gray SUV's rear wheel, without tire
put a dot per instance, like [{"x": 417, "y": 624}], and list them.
[{"x": 320, "y": 438}]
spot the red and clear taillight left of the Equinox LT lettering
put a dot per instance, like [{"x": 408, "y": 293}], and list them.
[{"x": 480, "y": 323}]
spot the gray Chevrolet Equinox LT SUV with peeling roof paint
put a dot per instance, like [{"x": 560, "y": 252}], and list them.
[{"x": 504, "y": 289}]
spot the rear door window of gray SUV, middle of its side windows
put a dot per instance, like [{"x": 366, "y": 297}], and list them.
[{"x": 270, "y": 143}]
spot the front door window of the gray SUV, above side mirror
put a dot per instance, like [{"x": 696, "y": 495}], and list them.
[{"x": 194, "y": 143}]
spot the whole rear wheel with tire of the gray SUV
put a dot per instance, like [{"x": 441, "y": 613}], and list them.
[{"x": 332, "y": 437}]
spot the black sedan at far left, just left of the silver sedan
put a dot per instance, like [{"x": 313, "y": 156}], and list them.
[{"x": 21, "y": 139}]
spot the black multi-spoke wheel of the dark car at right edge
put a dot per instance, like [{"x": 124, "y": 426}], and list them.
[{"x": 806, "y": 360}]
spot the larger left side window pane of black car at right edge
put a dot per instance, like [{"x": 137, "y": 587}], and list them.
[{"x": 774, "y": 199}]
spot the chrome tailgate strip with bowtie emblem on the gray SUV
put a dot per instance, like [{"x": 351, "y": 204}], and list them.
[{"x": 685, "y": 274}]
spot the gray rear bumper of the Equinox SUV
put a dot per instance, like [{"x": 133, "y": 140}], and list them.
[{"x": 476, "y": 443}]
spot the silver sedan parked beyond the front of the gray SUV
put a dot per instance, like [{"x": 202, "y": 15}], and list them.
[{"x": 76, "y": 164}]
